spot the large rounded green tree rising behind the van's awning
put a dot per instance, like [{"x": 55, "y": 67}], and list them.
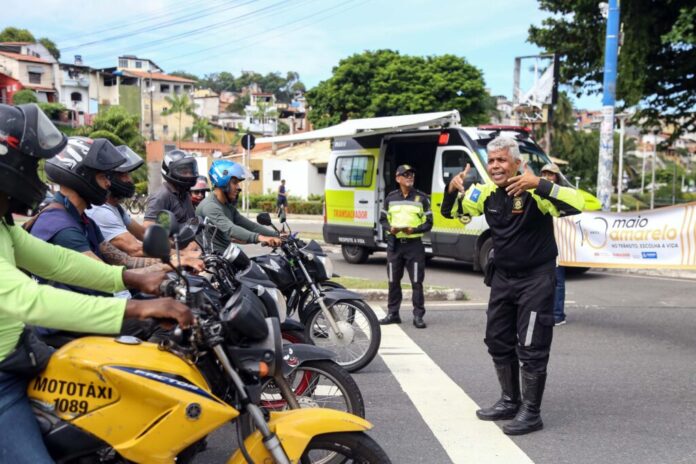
[{"x": 386, "y": 83}]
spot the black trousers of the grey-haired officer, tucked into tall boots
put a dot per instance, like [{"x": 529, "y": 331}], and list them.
[{"x": 520, "y": 317}]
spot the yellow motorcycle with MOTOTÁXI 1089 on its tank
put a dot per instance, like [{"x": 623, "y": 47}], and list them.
[{"x": 121, "y": 400}]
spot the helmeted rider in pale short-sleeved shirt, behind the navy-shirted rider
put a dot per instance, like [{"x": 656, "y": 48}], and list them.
[{"x": 116, "y": 224}]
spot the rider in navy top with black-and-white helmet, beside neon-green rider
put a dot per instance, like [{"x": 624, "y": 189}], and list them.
[{"x": 83, "y": 171}]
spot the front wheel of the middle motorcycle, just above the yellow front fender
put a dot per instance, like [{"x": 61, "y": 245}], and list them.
[{"x": 303, "y": 382}]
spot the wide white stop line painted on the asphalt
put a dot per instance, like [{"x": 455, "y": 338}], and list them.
[{"x": 444, "y": 406}]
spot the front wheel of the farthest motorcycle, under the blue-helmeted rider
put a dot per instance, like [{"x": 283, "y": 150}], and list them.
[{"x": 356, "y": 313}]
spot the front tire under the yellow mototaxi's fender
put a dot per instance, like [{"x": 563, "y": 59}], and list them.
[{"x": 344, "y": 447}]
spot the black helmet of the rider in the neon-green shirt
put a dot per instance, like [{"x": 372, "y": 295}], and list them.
[{"x": 26, "y": 135}]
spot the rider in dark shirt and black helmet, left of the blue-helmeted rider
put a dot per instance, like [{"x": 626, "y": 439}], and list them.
[{"x": 180, "y": 172}]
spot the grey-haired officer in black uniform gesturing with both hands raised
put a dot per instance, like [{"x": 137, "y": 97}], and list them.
[{"x": 519, "y": 328}]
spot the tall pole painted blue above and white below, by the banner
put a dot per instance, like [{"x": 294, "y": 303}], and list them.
[{"x": 606, "y": 138}]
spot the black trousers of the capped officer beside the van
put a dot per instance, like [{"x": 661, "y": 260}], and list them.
[{"x": 409, "y": 254}]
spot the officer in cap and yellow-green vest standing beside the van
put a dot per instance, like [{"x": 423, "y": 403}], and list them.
[{"x": 405, "y": 217}]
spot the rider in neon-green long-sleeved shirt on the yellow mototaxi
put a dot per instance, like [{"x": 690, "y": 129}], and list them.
[{"x": 26, "y": 136}]
